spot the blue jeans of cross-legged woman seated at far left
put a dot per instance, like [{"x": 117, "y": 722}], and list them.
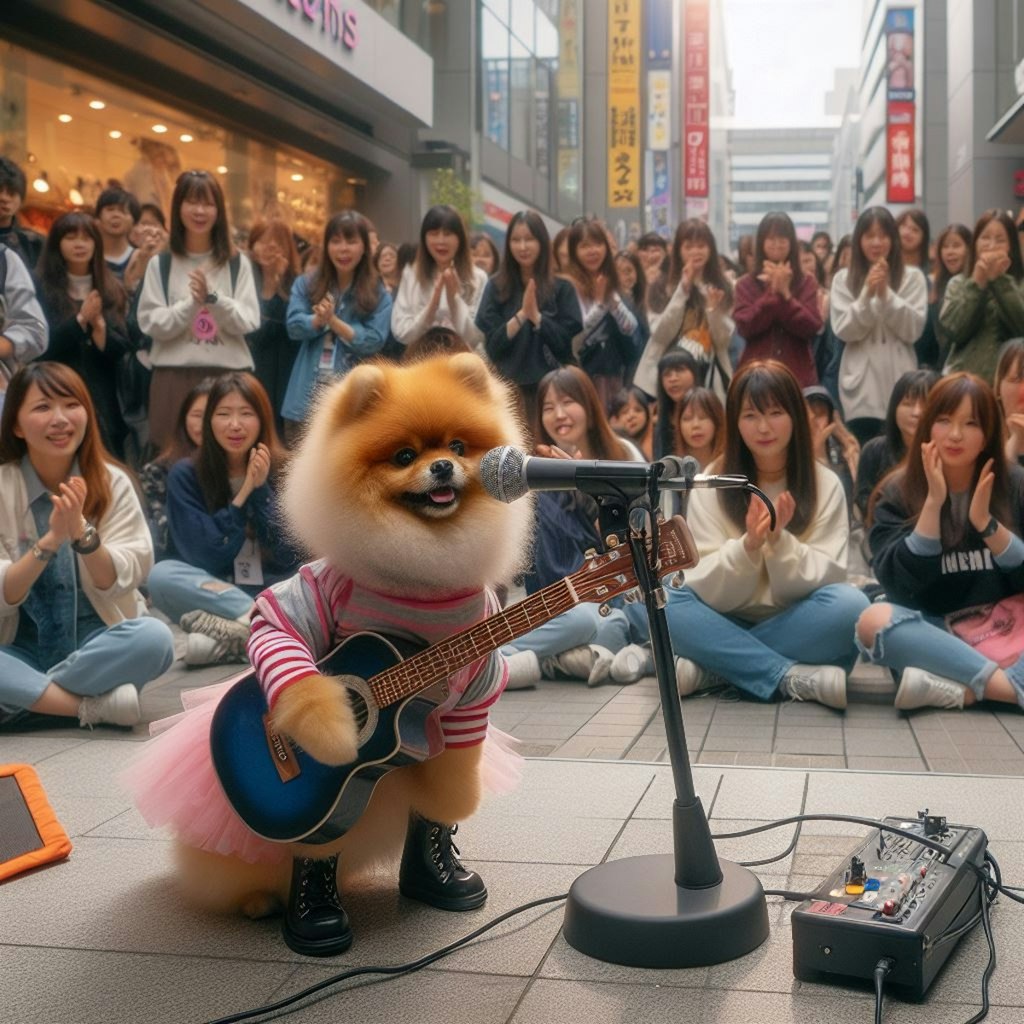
[{"x": 136, "y": 652}]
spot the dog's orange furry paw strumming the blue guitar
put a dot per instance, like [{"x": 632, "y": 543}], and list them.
[{"x": 316, "y": 713}]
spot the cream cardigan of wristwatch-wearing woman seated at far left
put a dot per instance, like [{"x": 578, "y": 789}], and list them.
[{"x": 123, "y": 531}]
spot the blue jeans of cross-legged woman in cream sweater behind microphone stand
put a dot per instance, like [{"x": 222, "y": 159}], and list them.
[{"x": 819, "y": 630}]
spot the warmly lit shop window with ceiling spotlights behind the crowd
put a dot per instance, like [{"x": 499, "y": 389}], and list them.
[{"x": 74, "y": 135}]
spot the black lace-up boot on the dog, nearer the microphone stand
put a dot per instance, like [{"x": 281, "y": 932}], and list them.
[{"x": 432, "y": 872}]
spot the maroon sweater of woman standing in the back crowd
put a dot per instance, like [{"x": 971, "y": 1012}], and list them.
[{"x": 779, "y": 329}]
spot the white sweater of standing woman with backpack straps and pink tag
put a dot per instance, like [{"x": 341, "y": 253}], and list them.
[{"x": 168, "y": 320}]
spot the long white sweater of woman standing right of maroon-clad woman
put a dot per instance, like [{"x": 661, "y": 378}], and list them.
[{"x": 878, "y": 336}]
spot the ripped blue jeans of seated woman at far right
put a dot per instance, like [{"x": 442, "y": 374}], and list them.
[{"x": 915, "y": 641}]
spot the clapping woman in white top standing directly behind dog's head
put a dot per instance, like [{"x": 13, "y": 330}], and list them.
[{"x": 443, "y": 287}]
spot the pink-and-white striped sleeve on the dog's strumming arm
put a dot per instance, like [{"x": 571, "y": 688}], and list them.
[{"x": 292, "y": 628}]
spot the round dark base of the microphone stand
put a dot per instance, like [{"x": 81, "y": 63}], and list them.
[{"x": 631, "y": 912}]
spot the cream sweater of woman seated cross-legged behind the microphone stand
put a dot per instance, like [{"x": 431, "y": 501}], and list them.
[{"x": 760, "y": 585}]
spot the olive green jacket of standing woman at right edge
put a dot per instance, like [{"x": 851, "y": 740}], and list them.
[{"x": 975, "y": 322}]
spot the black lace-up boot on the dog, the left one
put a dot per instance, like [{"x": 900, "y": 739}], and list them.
[{"x": 316, "y": 923}]
